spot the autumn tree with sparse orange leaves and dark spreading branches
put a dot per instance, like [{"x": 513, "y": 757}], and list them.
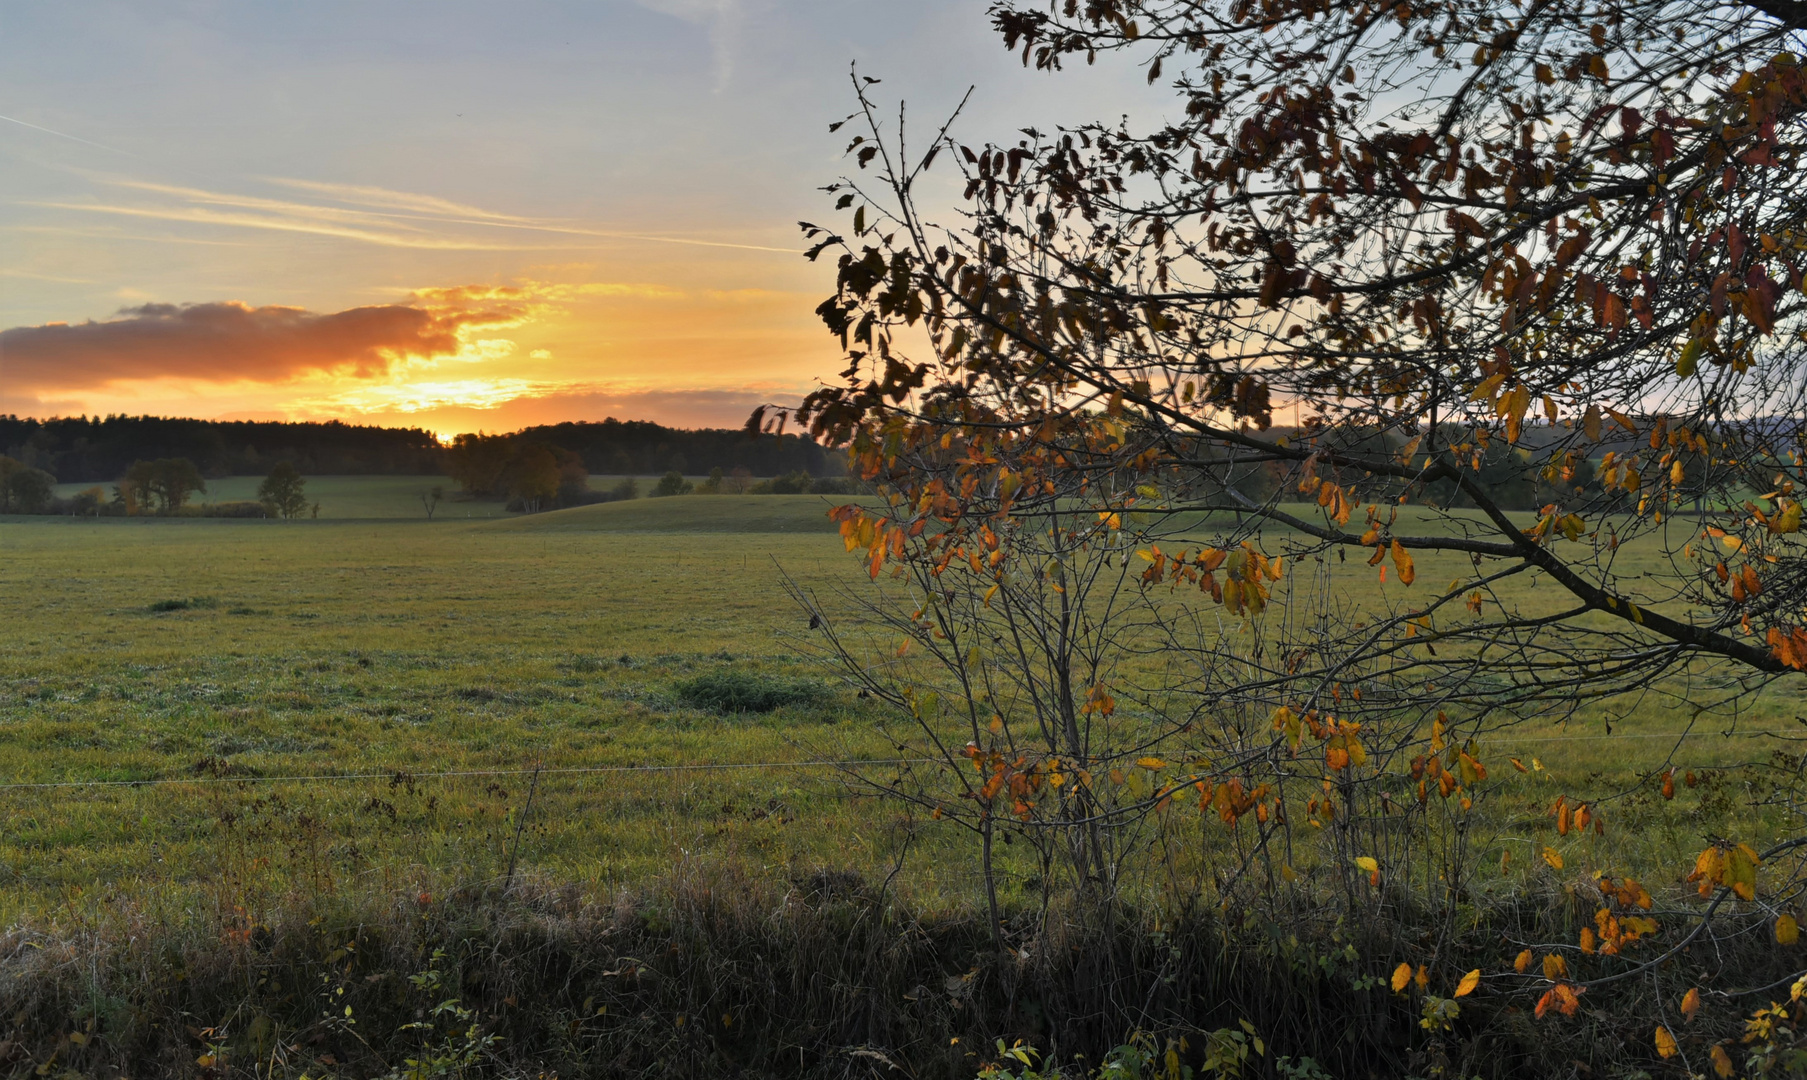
[{"x": 1401, "y": 312}]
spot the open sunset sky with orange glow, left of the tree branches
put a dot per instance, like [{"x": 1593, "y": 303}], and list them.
[{"x": 454, "y": 216}]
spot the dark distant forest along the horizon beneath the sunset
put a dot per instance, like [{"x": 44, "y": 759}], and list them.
[{"x": 104, "y": 449}]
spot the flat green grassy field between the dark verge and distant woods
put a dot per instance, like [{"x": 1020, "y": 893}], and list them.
[{"x": 230, "y": 653}]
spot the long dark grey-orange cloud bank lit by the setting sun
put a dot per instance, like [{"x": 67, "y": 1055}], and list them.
[{"x": 232, "y": 342}]
